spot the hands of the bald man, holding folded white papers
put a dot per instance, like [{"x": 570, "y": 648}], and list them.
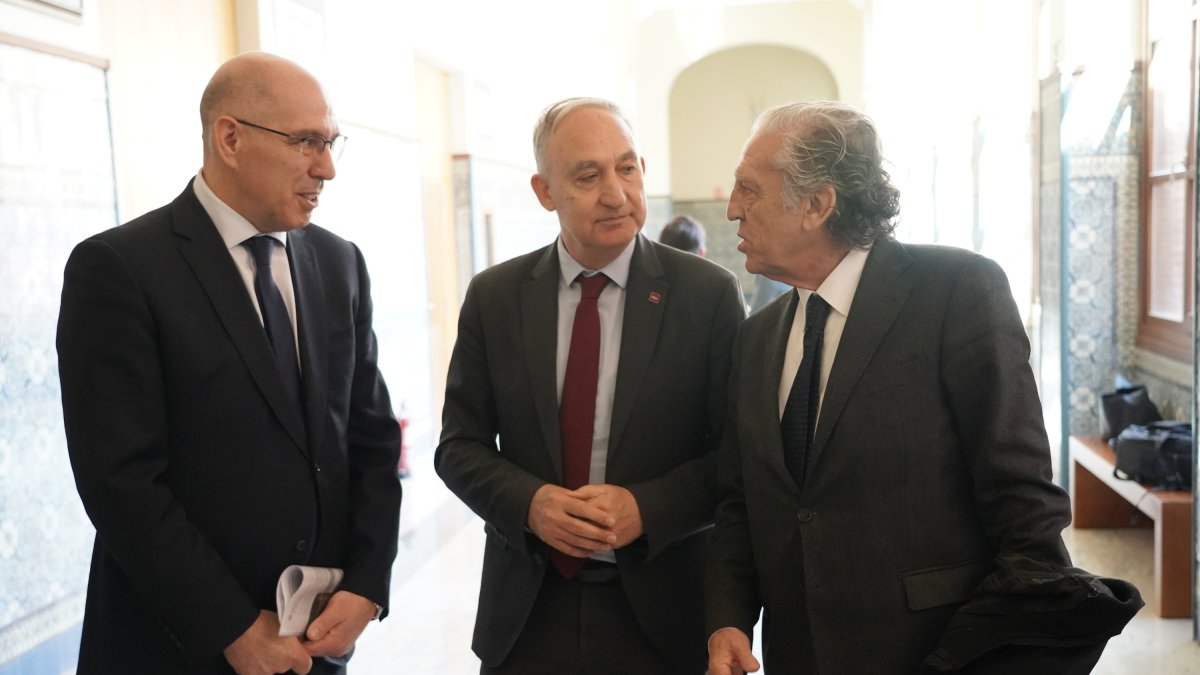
[{"x": 261, "y": 650}]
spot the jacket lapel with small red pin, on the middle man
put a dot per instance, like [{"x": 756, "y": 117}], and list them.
[{"x": 646, "y": 301}]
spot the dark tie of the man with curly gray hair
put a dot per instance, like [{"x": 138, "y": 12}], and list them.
[{"x": 801, "y": 411}]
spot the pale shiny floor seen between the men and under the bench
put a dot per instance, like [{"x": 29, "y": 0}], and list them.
[{"x": 436, "y": 582}]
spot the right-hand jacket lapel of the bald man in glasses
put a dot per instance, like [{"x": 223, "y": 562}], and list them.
[{"x": 313, "y": 325}]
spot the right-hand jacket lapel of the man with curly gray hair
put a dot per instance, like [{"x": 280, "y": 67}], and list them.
[{"x": 878, "y": 302}]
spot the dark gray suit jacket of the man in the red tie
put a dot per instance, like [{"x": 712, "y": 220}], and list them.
[{"x": 681, "y": 315}]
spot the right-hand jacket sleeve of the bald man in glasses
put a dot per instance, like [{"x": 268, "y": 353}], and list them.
[{"x": 373, "y": 451}]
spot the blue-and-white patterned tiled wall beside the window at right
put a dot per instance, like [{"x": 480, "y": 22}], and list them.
[{"x": 1090, "y": 252}]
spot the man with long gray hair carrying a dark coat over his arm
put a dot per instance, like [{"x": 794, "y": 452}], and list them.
[{"x": 885, "y": 458}]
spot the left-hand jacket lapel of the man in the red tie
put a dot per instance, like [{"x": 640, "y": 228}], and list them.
[{"x": 539, "y": 339}]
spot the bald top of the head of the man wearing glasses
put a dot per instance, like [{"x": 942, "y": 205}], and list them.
[{"x": 250, "y": 87}]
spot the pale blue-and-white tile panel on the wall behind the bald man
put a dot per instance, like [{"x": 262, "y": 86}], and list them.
[{"x": 56, "y": 189}]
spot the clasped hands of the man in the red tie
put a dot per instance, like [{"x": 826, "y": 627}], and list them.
[{"x": 587, "y": 521}]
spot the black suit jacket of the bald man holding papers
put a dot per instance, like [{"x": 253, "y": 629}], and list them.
[{"x": 201, "y": 481}]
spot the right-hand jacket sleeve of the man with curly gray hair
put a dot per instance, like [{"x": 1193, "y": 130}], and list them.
[{"x": 995, "y": 405}]
